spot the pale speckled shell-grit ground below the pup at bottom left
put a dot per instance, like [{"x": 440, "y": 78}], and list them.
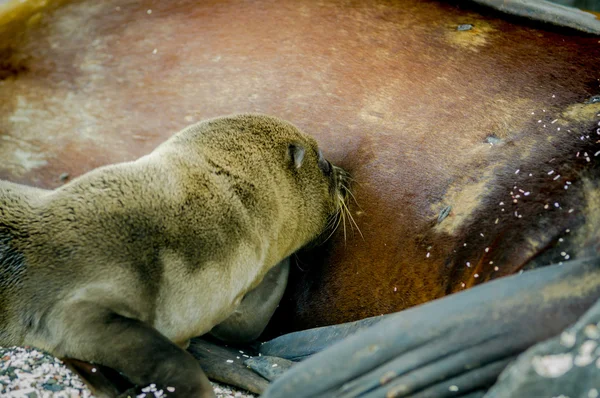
[{"x": 29, "y": 373}]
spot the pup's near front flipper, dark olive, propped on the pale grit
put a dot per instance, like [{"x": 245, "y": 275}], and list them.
[{"x": 133, "y": 348}]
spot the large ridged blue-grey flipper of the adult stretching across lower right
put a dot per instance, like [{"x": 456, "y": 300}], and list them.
[{"x": 450, "y": 346}]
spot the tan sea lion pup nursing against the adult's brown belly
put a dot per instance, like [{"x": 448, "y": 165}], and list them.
[{"x": 123, "y": 265}]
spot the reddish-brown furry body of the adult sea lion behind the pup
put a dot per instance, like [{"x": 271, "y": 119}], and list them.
[{"x": 425, "y": 116}]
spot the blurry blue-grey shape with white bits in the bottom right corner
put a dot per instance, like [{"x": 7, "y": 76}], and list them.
[{"x": 567, "y": 364}]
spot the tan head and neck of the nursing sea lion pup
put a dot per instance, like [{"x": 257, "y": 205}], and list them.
[{"x": 276, "y": 172}]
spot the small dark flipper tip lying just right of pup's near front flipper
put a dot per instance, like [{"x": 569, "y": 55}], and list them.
[{"x": 226, "y": 365}]
